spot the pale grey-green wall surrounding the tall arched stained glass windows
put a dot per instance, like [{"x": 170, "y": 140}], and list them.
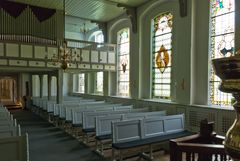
[{"x": 191, "y": 61}]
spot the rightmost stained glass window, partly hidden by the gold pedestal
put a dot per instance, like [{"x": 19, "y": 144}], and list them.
[{"x": 222, "y": 44}]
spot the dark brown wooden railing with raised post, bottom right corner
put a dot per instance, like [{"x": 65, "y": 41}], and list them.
[{"x": 205, "y": 146}]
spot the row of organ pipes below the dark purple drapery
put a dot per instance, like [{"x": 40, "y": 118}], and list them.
[{"x": 27, "y": 28}]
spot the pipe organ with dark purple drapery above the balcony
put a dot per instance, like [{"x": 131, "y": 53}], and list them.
[{"x": 30, "y": 24}]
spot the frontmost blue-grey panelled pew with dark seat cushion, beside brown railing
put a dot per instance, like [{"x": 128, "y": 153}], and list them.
[{"x": 145, "y": 133}]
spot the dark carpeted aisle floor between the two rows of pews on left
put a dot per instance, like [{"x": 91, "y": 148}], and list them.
[{"x": 48, "y": 143}]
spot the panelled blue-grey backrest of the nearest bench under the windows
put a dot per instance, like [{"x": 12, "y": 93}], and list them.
[{"x": 146, "y": 128}]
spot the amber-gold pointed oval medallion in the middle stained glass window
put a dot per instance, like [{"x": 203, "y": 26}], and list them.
[{"x": 162, "y": 59}]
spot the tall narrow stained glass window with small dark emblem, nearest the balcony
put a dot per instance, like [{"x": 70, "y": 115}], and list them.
[{"x": 123, "y": 62}]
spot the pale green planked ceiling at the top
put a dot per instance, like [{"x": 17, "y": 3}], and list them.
[{"x": 99, "y": 10}]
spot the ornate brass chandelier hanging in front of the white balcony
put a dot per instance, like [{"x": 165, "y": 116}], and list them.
[{"x": 66, "y": 57}]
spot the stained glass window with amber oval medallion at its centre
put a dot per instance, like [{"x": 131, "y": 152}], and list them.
[{"x": 161, "y": 56}]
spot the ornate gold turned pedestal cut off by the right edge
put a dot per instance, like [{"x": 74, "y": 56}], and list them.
[{"x": 227, "y": 69}]
